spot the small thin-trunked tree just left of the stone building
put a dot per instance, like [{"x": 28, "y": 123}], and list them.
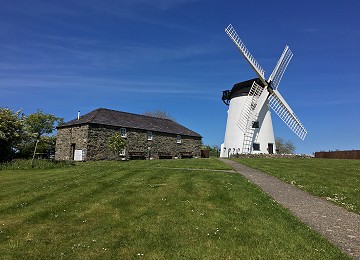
[{"x": 39, "y": 124}]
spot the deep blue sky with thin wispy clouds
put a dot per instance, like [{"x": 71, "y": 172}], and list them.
[{"x": 173, "y": 55}]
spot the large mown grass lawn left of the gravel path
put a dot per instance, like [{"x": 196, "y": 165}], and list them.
[{"x": 147, "y": 209}]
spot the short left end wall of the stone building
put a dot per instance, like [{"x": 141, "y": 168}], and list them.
[{"x": 70, "y": 138}]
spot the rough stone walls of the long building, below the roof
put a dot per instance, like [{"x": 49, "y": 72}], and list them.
[{"x": 93, "y": 139}]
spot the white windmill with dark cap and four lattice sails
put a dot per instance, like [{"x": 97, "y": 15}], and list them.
[{"x": 249, "y": 126}]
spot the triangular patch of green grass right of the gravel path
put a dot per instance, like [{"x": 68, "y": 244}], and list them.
[{"x": 333, "y": 179}]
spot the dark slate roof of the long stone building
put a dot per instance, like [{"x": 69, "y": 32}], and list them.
[{"x": 109, "y": 117}]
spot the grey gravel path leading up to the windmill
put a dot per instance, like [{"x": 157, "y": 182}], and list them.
[{"x": 335, "y": 223}]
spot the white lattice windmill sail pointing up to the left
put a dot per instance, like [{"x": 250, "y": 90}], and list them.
[{"x": 246, "y": 53}]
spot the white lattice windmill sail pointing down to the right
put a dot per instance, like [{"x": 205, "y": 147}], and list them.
[{"x": 283, "y": 110}]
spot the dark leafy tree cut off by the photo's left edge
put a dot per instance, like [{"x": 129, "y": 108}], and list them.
[{"x": 11, "y": 132}]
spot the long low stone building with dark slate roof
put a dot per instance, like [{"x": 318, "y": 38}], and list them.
[{"x": 86, "y": 138}]
